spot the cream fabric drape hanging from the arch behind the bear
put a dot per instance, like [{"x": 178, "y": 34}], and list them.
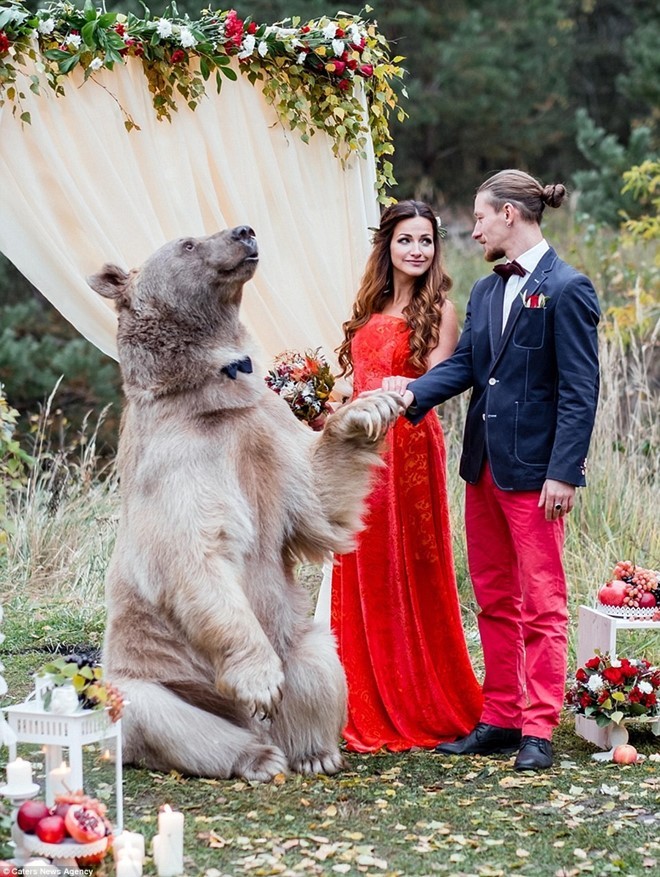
[{"x": 79, "y": 190}]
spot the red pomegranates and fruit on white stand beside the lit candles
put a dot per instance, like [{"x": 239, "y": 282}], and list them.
[{"x": 75, "y": 827}]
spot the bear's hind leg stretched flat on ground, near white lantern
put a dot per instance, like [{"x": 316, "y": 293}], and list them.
[{"x": 163, "y": 732}]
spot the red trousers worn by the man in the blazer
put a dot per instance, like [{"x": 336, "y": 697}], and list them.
[{"x": 515, "y": 560}]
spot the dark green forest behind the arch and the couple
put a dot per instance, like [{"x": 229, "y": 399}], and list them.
[{"x": 567, "y": 89}]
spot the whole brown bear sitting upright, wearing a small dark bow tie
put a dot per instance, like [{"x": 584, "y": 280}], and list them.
[{"x": 209, "y": 635}]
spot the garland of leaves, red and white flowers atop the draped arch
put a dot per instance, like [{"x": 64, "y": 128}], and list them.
[{"x": 308, "y": 71}]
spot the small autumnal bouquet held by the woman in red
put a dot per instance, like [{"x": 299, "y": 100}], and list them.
[{"x": 305, "y": 382}]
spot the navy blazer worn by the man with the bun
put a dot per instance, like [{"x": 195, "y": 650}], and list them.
[{"x": 534, "y": 387}]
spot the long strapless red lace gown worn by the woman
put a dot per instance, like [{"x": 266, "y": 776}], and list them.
[{"x": 395, "y": 609}]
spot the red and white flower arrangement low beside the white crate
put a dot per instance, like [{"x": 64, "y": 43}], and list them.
[{"x": 612, "y": 689}]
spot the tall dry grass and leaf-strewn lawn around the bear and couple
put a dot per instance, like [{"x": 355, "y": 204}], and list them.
[{"x": 415, "y": 813}]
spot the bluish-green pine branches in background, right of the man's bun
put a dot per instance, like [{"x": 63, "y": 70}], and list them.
[{"x": 600, "y": 197}]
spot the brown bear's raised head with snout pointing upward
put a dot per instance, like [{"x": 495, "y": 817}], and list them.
[{"x": 179, "y": 312}]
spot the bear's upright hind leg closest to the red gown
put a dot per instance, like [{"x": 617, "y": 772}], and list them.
[{"x": 310, "y": 718}]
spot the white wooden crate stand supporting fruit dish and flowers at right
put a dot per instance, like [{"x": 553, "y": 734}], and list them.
[{"x": 597, "y": 630}]
